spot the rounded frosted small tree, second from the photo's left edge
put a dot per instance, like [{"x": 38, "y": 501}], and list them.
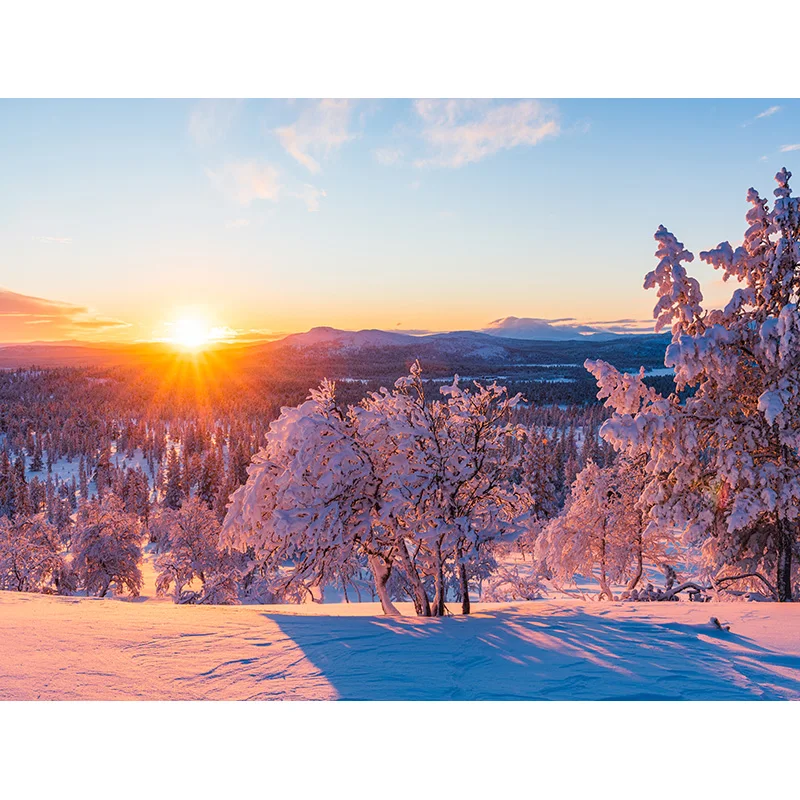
[{"x": 107, "y": 548}]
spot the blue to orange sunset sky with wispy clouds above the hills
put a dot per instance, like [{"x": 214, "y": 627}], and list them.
[{"x": 120, "y": 220}]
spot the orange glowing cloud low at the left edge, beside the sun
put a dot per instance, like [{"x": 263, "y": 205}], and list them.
[{"x": 25, "y": 317}]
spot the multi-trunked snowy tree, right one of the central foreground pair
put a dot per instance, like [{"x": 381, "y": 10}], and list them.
[{"x": 451, "y": 474}]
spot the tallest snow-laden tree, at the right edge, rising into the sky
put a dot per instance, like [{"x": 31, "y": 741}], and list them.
[{"x": 723, "y": 464}]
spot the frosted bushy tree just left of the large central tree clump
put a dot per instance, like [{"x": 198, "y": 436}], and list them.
[{"x": 188, "y": 539}]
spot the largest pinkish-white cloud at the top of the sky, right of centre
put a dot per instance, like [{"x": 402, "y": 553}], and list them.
[{"x": 461, "y": 132}]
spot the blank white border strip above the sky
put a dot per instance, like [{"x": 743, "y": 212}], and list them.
[{"x": 361, "y": 48}]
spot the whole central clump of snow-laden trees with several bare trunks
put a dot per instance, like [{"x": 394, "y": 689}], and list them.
[{"x": 398, "y": 482}]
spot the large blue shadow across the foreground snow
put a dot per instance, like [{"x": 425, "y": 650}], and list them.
[{"x": 563, "y": 655}]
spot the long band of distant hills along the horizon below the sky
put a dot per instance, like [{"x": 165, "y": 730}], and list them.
[{"x": 369, "y": 352}]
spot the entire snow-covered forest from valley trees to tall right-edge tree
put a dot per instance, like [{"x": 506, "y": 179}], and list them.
[{"x": 437, "y": 493}]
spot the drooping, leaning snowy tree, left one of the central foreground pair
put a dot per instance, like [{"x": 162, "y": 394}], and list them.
[{"x": 310, "y": 498}]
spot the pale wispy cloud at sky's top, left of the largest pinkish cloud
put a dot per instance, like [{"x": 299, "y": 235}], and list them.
[{"x": 320, "y": 129}]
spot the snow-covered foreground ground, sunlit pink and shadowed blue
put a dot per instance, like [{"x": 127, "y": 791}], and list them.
[{"x": 82, "y": 648}]
